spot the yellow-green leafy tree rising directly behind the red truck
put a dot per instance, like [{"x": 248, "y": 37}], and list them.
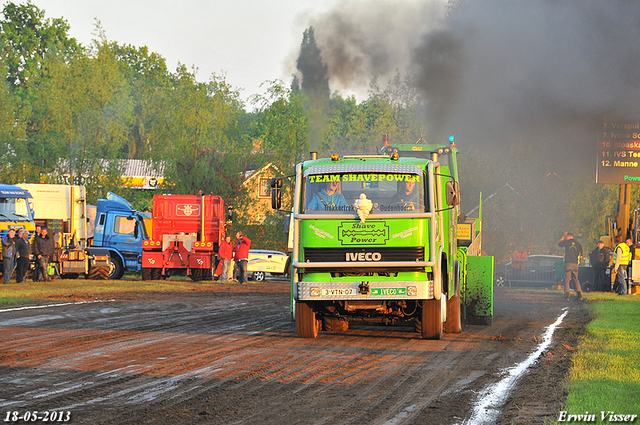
[{"x": 196, "y": 131}]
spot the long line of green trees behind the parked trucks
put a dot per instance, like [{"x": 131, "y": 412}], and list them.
[{"x": 71, "y": 113}]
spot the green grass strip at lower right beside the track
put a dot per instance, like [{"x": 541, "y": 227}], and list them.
[{"x": 605, "y": 371}]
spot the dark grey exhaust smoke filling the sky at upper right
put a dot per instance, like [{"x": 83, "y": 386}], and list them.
[{"x": 493, "y": 71}]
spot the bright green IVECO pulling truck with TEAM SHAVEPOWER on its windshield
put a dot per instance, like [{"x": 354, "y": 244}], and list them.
[{"x": 378, "y": 238}]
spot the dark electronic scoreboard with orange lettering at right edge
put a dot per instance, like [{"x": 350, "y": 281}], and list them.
[{"x": 619, "y": 153}]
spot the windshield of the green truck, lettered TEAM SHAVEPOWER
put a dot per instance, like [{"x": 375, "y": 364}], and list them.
[{"x": 388, "y": 192}]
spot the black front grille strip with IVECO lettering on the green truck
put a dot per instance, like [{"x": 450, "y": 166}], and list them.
[{"x": 349, "y": 256}]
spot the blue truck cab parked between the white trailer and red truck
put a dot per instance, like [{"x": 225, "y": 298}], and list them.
[{"x": 120, "y": 229}]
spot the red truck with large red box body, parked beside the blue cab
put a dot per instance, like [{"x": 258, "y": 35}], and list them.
[{"x": 186, "y": 233}]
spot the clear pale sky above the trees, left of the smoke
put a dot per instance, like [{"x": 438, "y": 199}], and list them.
[{"x": 252, "y": 41}]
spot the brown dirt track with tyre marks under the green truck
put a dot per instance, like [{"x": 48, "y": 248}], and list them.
[{"x": 231, "y": 355}]
